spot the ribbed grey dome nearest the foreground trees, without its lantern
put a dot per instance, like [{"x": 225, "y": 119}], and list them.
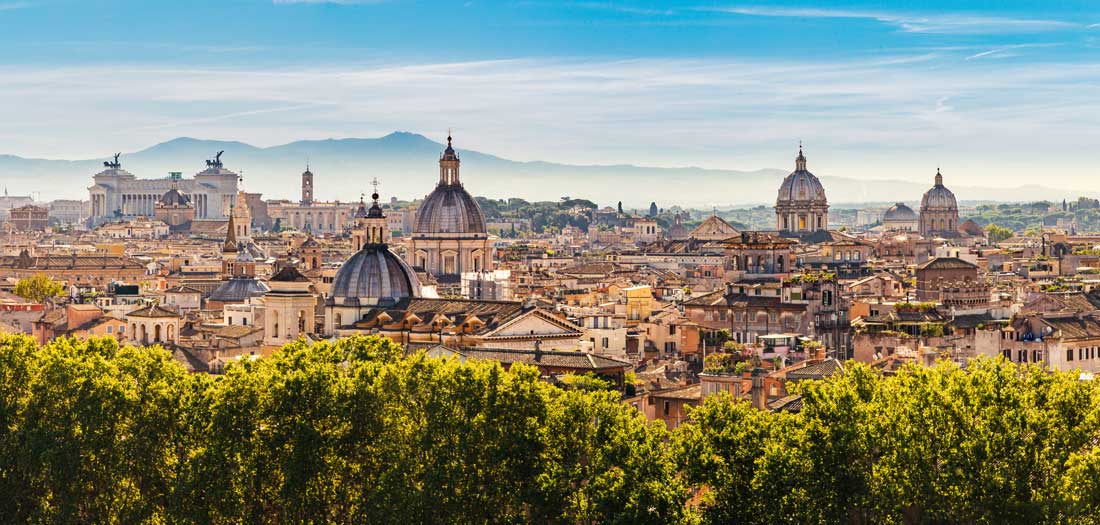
[{"x": 373, "y": 276}]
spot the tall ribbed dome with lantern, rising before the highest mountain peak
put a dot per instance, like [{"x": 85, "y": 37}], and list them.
[{"x": 449, "y": 209}]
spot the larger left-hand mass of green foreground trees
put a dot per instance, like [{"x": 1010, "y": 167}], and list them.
[{"x": 350, "y": 432}]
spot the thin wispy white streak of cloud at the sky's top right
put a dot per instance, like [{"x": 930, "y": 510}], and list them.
[{"x": 914, "y": 23}]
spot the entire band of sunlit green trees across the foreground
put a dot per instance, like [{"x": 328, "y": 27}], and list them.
[{"x": 355, "y": 432}]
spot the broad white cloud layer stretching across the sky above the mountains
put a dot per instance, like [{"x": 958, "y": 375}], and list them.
[{"x": 857, "y": 115}]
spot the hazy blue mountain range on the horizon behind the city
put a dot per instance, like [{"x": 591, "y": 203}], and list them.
[{"x": 406, "y": 168}]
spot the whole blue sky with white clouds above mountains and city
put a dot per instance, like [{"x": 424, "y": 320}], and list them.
[{"x": 998, "y": 93}]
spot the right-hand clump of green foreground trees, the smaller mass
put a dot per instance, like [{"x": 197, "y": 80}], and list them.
[{"x": 994, "y": 444}]
